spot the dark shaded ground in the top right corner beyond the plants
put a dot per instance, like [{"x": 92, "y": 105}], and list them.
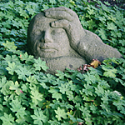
[{"x": 119, "y": 3}]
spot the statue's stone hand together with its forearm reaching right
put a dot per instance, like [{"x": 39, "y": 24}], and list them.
[{"x": 86, "y": 43}]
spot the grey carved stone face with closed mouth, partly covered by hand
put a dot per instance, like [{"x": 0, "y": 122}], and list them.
[{"x": 45, "y": 41}]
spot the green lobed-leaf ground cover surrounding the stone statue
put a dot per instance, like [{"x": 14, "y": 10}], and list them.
[{"x": 28, "y": 95}]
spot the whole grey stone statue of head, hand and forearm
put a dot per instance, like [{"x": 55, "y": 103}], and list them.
[{"x": 57, "y": 36}]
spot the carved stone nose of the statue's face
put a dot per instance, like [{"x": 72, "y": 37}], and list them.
[{"x": 47, "y": 38}]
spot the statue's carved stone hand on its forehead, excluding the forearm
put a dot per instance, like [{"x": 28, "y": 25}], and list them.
[{"x": 68, "y": 20}]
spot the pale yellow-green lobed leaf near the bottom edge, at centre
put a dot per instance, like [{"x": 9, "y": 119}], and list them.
[{"x": 60, "y": 113}]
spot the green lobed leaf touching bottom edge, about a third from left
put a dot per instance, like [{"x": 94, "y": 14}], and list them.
[{"x": 39, "y": 117}]
